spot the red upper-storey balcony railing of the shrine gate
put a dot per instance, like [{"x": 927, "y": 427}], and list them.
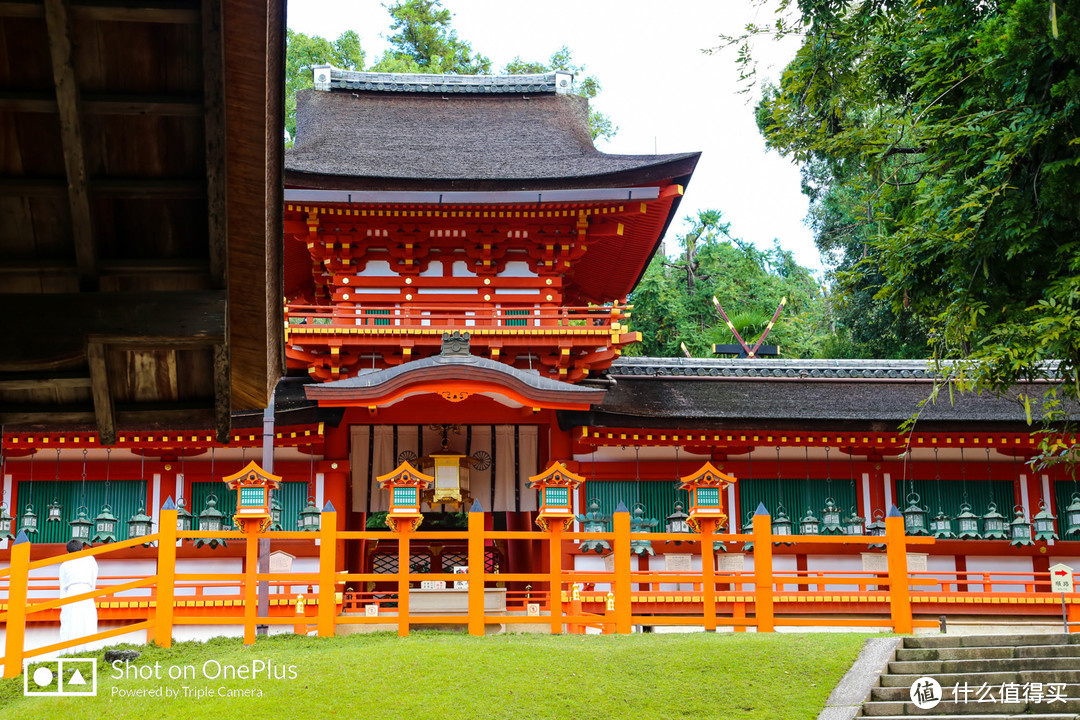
[{"x": 457, "y": 317}]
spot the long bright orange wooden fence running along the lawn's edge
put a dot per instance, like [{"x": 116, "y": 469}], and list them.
[{"x": 559, "y": 596}]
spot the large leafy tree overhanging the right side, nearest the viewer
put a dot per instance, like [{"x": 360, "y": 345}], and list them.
[{"x": 955, "y": 125}]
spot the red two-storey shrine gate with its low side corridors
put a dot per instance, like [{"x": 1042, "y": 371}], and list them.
[{"x": 460, "y": 267}]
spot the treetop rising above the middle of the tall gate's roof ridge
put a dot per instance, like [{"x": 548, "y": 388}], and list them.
[{"x": 425, "y": 43}]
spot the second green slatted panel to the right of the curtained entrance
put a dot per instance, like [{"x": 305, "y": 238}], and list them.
[{"x": 796, "y": 497}]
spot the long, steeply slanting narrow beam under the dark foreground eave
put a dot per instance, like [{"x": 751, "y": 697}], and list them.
[{"x": 75, "y": 162}]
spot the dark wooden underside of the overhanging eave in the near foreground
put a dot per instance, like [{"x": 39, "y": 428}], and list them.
[{"x": 141, "y": 153}]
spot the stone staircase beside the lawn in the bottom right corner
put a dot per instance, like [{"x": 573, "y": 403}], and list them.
[{"x": 1039, "y": 668}]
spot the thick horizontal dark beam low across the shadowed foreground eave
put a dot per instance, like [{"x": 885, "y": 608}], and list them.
[{"x": 155, "y": 320}]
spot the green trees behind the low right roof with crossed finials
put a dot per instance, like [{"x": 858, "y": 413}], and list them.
[{"x": 673, "y": 304}]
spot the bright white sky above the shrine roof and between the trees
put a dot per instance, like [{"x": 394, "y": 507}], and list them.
[{"x": 658, "y": 87}]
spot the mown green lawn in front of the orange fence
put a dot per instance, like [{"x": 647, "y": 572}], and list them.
[{"x": 449, "y": 676}]
